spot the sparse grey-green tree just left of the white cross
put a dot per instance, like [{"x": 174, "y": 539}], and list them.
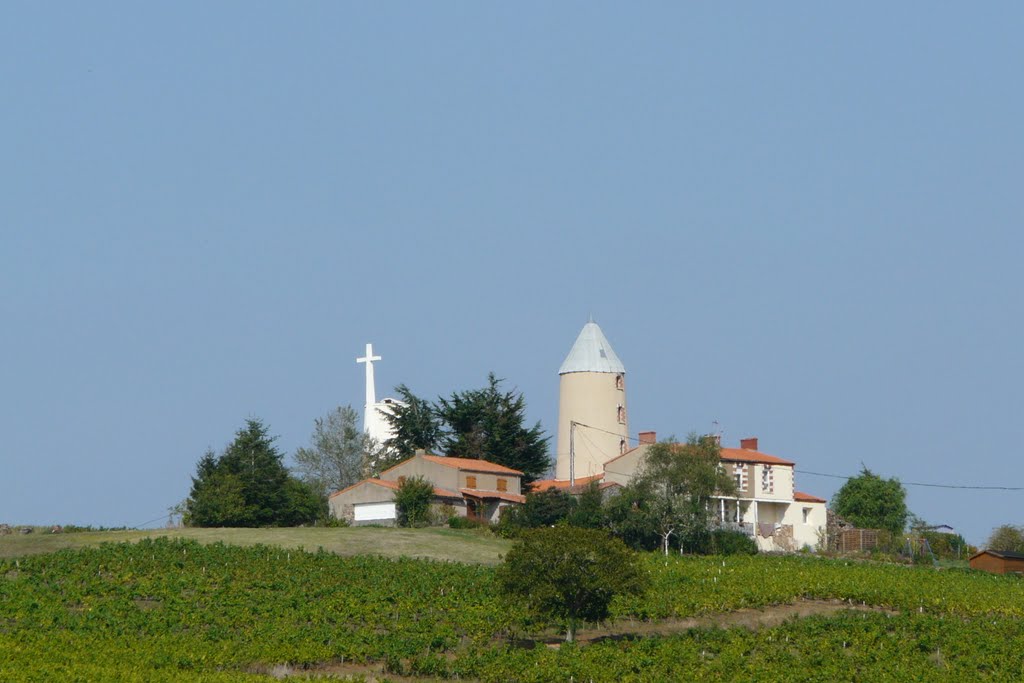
[{"x": 338, "y": 452}]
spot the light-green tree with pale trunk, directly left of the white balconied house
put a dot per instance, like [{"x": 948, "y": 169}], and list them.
[{"x": 679, "y": 481}]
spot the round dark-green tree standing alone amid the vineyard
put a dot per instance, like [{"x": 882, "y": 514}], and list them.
[{"x": 569, "y": 576}]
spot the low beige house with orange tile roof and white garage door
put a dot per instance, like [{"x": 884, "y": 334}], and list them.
[{"x": 474, "y": 488}]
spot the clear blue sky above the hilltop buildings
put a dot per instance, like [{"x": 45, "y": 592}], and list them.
[{"x": 802, "y": 222}]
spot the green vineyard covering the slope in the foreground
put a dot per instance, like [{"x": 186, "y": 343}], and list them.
[{"x": 167, "y": 611}]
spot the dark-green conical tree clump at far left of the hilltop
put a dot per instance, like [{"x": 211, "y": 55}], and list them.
[{"x": 248, "y": 486}]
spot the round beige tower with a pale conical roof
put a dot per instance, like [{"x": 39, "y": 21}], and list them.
[{"x": 592, "y": 418}]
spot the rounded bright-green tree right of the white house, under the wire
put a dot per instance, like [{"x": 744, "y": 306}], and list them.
[{"x": 871, "y": 502}]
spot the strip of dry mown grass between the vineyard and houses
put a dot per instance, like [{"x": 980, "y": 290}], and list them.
[{"x": 437, "y": 544}]
